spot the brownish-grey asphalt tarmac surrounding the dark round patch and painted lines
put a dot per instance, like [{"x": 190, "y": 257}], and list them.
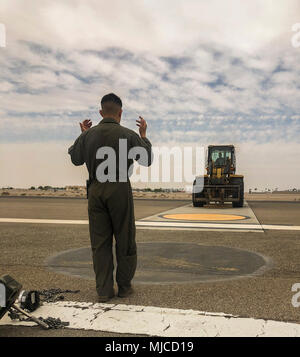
[{"x": 25, "y": 247}]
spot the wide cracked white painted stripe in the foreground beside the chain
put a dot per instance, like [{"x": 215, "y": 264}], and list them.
[{"x": 156, "y": 321}]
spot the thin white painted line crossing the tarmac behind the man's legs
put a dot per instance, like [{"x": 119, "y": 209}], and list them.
[{"x": 159, "y": 224}]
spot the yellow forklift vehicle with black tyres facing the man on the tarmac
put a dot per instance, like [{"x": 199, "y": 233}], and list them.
[{"x": 221, "y": 184}]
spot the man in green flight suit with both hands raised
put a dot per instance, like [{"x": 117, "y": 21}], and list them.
[{"x": 108, "y": 150}]
